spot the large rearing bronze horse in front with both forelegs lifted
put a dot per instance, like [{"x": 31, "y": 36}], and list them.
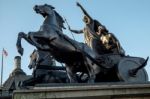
[{"x": 77, "y": 56}]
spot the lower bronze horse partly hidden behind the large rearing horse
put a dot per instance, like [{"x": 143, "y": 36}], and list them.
[{"x": 44, "y": 70}]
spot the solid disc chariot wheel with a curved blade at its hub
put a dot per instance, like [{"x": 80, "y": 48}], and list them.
[{"x": 125, "y": 66}]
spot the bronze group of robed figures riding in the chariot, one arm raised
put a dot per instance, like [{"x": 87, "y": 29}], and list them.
[{"x": 98, "y": 37}]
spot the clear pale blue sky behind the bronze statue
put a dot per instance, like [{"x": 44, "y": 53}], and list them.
[{"x": 129, "y": 20}]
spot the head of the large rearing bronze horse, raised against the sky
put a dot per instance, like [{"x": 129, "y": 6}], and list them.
[{"x": 44, "y": 10}]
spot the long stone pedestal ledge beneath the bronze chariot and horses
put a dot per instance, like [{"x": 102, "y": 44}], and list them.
[{"x": 86, "y": 91}]
